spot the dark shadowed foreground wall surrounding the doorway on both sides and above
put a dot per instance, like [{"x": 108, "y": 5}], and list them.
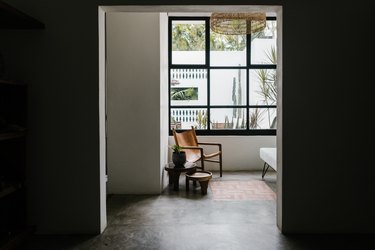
[{"x": 327, "y": 172}]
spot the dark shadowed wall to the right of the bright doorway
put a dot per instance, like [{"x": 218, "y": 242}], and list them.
[{"x": 326, "y": 184}]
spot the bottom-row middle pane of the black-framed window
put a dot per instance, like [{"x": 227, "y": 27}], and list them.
[{"x": 228, "y": 118}]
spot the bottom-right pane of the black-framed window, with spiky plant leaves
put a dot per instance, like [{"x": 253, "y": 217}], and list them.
[{"x": 262, "y": 118}]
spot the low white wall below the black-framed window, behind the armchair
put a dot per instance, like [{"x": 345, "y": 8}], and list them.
[{"x": 239, "y": 152}]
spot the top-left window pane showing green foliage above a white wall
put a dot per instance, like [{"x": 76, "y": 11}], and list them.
[{"x": 188, "y": 42}]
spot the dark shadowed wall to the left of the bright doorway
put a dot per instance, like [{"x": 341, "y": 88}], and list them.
[{"x": 60, "y": 66}]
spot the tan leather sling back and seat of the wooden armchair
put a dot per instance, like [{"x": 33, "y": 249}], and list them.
[{"x": 188, "y": 138}]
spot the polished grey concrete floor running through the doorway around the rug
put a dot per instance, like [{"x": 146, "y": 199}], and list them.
[{"x": 179, "y": 220}]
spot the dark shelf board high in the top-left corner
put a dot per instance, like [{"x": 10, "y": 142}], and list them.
[{"x": 12, "y": 18}]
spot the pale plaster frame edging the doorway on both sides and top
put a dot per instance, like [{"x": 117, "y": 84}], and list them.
[{"x": 102, "y": 10}]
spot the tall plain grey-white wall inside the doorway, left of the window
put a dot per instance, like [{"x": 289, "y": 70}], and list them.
[{"x": 133, "y": 99}]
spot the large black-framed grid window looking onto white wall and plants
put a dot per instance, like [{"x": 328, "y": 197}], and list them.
[{"x": 221, "y": 84}]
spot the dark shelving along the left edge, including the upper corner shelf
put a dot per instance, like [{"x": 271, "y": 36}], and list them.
[{"x": 14, "y": 228}]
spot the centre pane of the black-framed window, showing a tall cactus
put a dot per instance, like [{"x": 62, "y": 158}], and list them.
[{"x": 228, "y": 87}]
